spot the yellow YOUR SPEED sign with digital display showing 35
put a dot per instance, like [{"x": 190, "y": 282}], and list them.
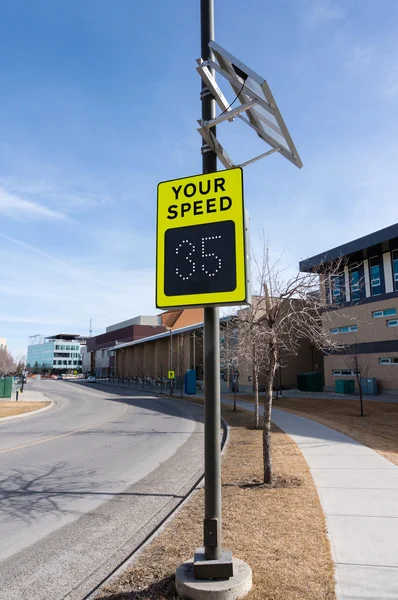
[{"x": 201, "y": 241}]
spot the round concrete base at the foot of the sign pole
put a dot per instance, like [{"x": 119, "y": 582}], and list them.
[{"x": 214, "y": 589}]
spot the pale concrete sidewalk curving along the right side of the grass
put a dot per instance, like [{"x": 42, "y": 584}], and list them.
[{"x": 358, "y": 490}]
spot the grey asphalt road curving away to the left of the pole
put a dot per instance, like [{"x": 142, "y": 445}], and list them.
[{"x": 83, "y": 483}]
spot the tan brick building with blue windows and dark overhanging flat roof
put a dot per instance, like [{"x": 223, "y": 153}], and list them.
[{"x": 363, "y": 294}]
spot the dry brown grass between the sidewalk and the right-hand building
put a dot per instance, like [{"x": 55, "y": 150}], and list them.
[{"x": 377, "y": 429}]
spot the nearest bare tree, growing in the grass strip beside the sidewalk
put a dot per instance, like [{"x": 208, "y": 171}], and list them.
[{"x": 288, "y": 312}]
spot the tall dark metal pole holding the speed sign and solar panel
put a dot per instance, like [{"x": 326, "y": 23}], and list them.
[{"x": 212, "y": 520}]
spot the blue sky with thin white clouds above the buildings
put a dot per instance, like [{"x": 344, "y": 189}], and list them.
[{"x": 99, "y": 102}]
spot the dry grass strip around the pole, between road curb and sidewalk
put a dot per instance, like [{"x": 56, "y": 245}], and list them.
[{"x": 278, "y": 530}]
